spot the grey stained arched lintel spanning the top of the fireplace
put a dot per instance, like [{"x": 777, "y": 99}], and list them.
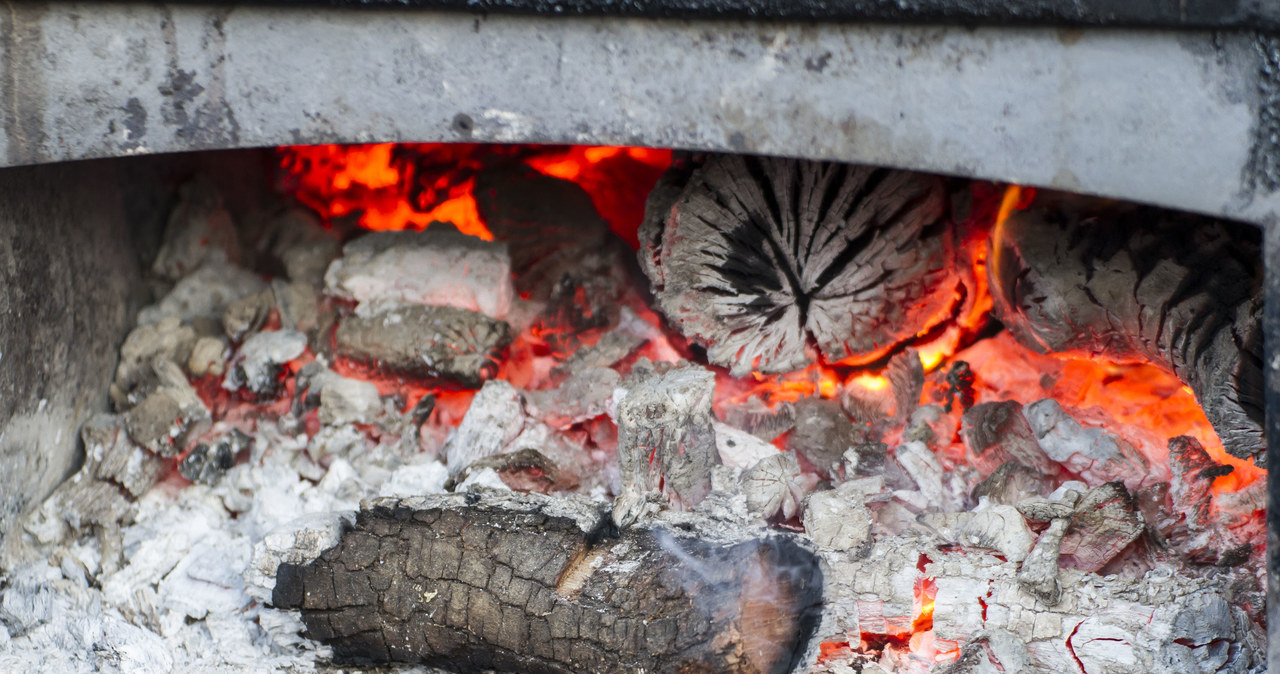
[{"x": 1173, "y": 118}]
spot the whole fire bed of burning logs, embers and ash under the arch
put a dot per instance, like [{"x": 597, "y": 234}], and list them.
[{"x": 566, "y": 409}]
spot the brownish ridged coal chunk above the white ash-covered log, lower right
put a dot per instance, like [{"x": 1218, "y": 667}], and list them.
[{"x": 1105, "y": 522}]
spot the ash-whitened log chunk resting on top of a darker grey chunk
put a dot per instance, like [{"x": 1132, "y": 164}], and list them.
[{"x": 437, "y": 267}]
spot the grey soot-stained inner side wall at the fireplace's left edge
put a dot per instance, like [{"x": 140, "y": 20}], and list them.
[{"x": 68, "y": 282}]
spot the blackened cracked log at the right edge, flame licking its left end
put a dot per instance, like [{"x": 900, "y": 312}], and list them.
[{"x": 1124, "y": 283}]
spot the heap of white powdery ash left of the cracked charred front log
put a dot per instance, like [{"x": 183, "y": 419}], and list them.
[{"x": 195, "y": 568}]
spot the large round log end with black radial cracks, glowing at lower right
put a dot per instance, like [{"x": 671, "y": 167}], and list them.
[{"x": 761, "y": 259}]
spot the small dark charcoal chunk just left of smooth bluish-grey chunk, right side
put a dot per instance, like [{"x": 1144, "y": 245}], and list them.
[{"x": 996, "y": 434}]
